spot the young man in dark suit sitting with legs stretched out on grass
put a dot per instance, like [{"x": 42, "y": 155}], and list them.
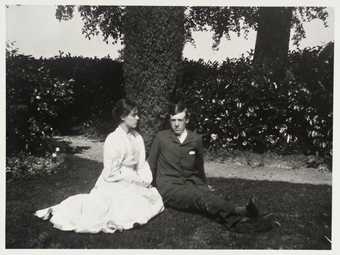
[{"x": 176, "y": 160}]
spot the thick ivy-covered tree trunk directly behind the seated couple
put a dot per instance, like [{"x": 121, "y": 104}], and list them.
[{"x": 154, "y": 41}]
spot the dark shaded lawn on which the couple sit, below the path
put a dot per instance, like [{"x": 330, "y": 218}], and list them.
[{"x": 304, "y": 212}]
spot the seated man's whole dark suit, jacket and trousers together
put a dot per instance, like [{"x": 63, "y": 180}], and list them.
[{"x": 178, "y": 169}]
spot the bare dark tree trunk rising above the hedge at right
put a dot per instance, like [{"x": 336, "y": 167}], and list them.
[{"x": 272, "y": 41}]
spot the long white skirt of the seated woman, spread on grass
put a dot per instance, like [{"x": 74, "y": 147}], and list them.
[{"x": 108, "y": 207}]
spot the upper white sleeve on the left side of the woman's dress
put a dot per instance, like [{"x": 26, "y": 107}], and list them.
[{"x": 113, "y": 158}]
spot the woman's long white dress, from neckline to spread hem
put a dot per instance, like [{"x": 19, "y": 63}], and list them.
[{"x": 121, "y": 197}]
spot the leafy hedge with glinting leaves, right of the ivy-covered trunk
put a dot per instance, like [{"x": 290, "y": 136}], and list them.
[{"x": 239, "y": 106}]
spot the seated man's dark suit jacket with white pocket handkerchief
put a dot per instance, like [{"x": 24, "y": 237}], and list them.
[{"x": 173, "y": 163}]
